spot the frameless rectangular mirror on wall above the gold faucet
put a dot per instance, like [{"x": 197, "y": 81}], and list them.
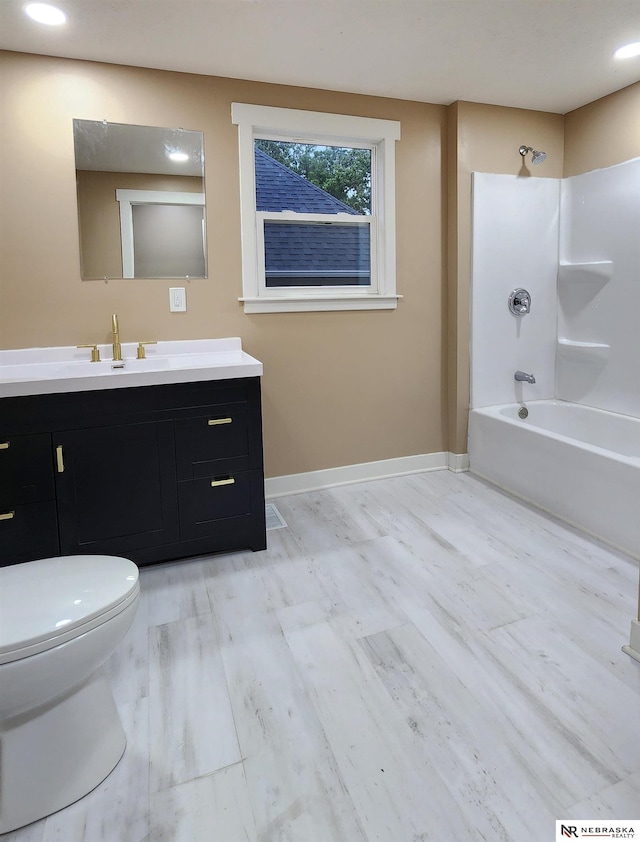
[{"x": 141, "y": 205}]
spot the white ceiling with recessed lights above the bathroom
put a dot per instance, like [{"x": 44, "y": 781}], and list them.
[{"x": 548, "y": 55}]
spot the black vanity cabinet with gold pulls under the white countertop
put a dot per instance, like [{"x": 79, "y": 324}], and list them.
[{"x": 152, "y": 473}]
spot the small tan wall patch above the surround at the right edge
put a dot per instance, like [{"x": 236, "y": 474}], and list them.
[{"x": 603, "y": 133}]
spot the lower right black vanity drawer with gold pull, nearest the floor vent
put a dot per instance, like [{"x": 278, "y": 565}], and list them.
[{"x": 210, "y": 504}]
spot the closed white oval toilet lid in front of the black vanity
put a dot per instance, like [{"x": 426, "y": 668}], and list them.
[{"x": 47, "y": 599}]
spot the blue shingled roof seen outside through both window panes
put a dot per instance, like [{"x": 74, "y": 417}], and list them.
[{"x": 302, "y": 254}]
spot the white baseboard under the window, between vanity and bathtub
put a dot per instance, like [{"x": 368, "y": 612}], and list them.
[{"x": 348, "y": 474}]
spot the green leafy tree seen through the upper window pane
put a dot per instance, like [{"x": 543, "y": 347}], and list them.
[{"x": 342, "y": 172}]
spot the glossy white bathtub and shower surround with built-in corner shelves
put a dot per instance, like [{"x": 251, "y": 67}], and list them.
[{"x": 574, "y": 244}]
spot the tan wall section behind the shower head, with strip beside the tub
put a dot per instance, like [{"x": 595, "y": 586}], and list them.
[{"x": 483, "y": 138}]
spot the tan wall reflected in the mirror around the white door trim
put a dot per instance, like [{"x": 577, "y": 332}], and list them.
[{"x": 99, "y": 214}]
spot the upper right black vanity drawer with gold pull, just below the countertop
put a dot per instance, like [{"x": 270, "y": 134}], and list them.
[{"x": 213, "y": 443}]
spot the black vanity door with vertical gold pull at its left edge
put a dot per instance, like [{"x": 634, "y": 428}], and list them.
[{"x": 116, "y": 488}]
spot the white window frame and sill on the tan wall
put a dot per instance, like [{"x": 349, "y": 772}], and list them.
[{"x": 270, "y": 123}]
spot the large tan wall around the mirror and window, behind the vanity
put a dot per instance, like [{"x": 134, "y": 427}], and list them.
[{"x": 338, "y": 388}]
